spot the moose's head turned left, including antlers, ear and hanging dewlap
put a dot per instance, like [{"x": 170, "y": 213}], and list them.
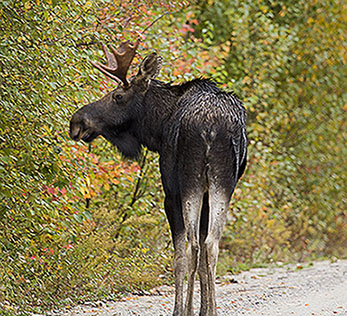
[{"x": 113, "y": 115}]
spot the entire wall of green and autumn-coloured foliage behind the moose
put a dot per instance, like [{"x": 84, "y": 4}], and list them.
[{"x": 78, "y": 222}]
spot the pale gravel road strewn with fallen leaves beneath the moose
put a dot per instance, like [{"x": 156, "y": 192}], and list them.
[{"x": 320, "y": 289}]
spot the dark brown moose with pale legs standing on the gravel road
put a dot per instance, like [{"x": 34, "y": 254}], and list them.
[{"x": 199, "y": 132}]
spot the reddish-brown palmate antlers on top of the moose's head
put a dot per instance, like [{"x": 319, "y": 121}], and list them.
[{"x": 118, "y": 62}]
